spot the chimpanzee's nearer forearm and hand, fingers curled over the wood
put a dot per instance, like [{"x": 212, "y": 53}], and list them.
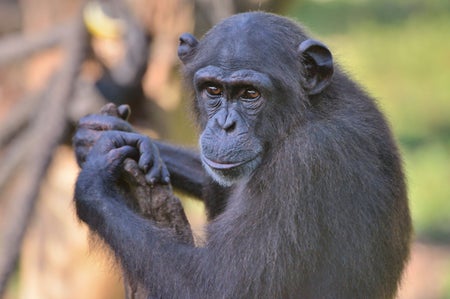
[{"x": 146, "y": 253}]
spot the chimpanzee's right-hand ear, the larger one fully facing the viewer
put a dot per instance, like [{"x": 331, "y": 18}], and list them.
[{"x": 318, "y": 64}]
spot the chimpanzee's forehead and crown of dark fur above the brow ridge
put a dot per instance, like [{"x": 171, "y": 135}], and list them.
[{"x": 248, "y": 41}]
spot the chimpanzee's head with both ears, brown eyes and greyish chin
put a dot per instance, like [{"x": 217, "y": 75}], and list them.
[{"x": 252, "y": 75}]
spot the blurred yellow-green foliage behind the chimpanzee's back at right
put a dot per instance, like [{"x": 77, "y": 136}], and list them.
[{"x": 399, "y": 50}]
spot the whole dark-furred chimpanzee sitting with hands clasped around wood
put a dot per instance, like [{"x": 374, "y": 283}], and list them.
[{"x": 303, "y": 181}]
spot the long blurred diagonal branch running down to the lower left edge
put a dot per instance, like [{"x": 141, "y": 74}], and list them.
[{"x": 45, "y": 132}]
